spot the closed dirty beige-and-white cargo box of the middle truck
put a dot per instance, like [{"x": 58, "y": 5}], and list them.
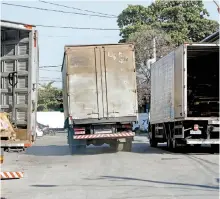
[{"x": 99, "y": 83}]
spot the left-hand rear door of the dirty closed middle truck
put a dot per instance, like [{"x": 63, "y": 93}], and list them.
[{"x": 82, "y": 85}]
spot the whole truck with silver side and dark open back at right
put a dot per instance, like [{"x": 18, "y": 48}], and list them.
[{"x": 185, "y": 97}]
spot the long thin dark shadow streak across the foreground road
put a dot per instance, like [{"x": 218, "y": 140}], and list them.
[{"x": 116, "y": 178}]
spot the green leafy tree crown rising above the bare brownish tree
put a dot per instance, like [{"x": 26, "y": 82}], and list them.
[{"x": 182, "y": 20}]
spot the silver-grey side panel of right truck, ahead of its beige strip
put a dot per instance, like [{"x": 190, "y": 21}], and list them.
[{"x": 162, "y": 90}]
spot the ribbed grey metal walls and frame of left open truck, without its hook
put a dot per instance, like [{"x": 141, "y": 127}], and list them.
[{"x": 20, "y": 53}]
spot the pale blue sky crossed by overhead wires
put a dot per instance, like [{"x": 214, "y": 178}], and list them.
[{"x": 53, "y": 40}]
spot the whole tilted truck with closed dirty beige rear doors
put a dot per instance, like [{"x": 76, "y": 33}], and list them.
[{"x": 100, "y": 95}]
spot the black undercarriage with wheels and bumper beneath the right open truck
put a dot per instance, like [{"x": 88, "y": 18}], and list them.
[{"x": 182, "y": 133}]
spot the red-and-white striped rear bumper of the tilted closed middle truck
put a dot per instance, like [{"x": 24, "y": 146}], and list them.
[{"x": 104, "y": 136}]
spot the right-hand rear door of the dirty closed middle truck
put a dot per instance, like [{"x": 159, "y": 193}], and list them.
[{"x": 120, "y": 80}]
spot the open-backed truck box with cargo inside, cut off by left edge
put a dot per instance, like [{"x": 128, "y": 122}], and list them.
[{"x": 19, "y": 84}]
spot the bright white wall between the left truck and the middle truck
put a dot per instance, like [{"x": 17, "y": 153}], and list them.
[{"x": 53, "y": 119}]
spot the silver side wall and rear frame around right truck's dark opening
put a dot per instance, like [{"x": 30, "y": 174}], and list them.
[{"x": 169, "y": 85}]
